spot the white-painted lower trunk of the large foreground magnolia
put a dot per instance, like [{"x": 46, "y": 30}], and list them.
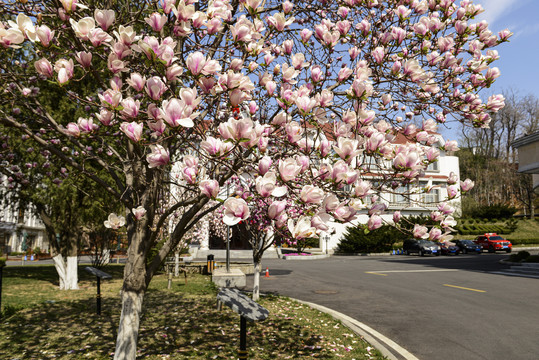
[{"x": 126, "y": 342}]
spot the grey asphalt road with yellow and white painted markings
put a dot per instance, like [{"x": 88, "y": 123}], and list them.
[{"x": 439, "y": 308}]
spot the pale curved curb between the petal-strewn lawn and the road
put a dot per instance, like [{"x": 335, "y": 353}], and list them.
[{"x": 373, "y": 337}]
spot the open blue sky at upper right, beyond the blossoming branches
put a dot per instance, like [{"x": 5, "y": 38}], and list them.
[{"x": 519, "y": 58}]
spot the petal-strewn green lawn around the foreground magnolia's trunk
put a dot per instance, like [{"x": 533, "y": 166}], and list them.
[{"x": 42, "y": 322}]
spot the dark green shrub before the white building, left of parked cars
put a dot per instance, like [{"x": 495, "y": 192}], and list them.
[{"x": 380, "y": 240}]
